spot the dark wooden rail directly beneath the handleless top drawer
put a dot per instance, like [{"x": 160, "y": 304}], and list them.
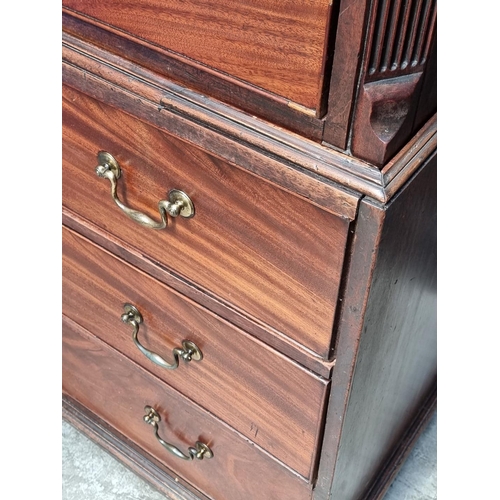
[{"x": 202, "y": 78}]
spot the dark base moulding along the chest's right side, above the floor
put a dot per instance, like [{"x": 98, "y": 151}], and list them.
[{"x": 383, "y": 481}]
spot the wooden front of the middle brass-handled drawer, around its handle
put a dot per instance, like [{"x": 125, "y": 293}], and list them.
[{"x": 256, "y": 390}]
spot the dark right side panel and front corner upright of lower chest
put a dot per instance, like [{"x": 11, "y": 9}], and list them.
[{"x": 386, "y": 350}]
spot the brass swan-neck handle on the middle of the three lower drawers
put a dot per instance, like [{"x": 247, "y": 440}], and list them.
[{"x": 189, "y": 351}]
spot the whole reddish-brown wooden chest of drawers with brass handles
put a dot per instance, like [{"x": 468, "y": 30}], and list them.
[{"x": 249, "y": 217}]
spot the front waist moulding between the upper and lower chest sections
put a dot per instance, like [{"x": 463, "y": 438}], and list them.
[{"x": 247, "y": 130}]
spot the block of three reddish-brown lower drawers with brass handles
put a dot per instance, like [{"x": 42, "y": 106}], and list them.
[{"x": 235, "y": 412}]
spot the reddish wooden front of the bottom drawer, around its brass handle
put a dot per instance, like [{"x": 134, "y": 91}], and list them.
[{"x": 117, "y": 390}]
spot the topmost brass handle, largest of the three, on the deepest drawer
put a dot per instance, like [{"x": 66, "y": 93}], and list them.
[{"x": 178, "y": 202}]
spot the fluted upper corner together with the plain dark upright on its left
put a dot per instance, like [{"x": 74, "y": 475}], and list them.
[{"x": 384, "y": 51}]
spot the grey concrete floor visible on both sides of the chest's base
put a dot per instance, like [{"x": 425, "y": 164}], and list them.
[{"x": 90, "y": 473}]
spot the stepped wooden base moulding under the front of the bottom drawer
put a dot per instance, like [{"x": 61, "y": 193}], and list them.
[{"x": 127, "y": 452}]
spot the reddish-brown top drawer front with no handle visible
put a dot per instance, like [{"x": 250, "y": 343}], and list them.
[{"x": 279, "y": 47}]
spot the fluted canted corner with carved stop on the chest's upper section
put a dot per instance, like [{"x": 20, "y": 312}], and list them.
[{"x": 399, "y": 41}]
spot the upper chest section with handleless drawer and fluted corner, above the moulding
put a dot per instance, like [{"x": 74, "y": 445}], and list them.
[{"x": 350, "y": 43}]
